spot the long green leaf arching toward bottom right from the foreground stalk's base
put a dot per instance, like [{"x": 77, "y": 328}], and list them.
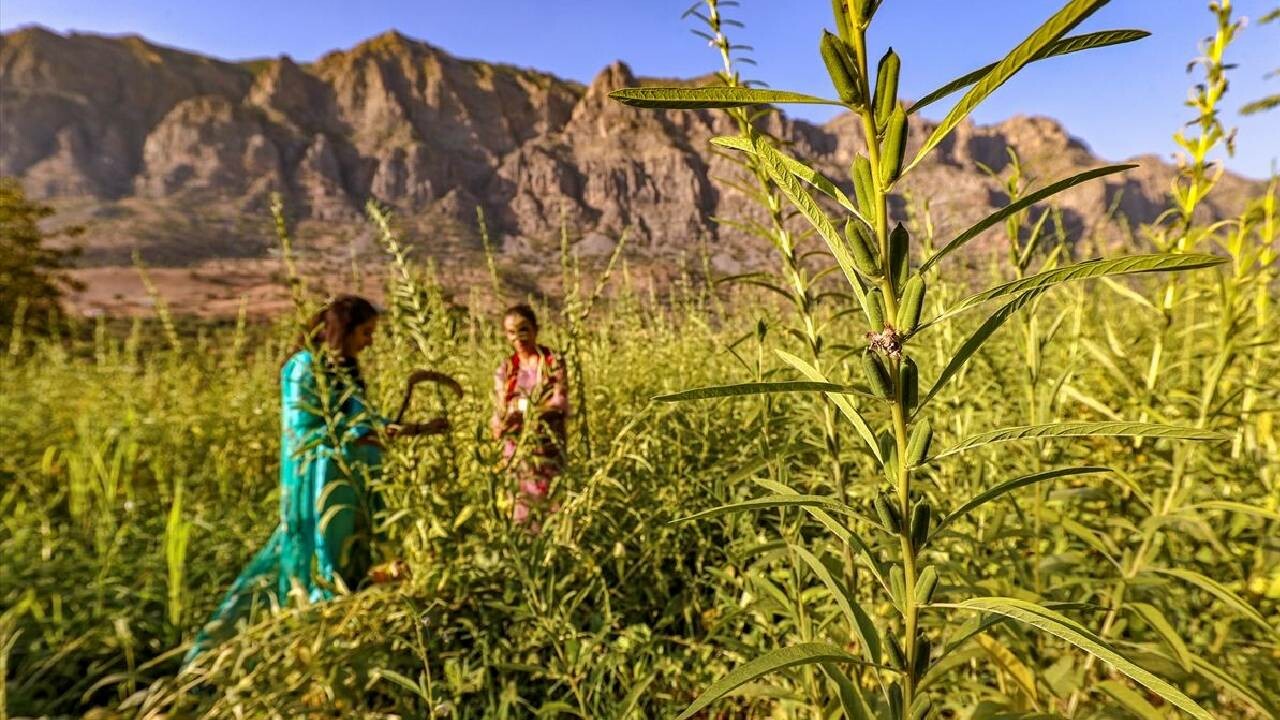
[{"x": 1062, "y": 627}]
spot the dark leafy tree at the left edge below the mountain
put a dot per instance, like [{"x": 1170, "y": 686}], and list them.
[{"x": 33, "y": 275}]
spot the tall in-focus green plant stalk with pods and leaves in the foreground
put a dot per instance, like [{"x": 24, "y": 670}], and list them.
[{"x": 876, "y": 261}]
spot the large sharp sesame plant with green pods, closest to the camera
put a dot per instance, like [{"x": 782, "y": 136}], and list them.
[{"x": 893, "y": 666}]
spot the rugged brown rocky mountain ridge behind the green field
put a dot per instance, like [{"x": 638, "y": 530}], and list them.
[{"x": 176, "y": 156}]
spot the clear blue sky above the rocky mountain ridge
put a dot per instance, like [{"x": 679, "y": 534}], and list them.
[{"x": 1122, "y": 101}]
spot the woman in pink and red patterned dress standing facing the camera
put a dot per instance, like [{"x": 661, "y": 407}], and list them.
[{"x": 531, "y": 405}]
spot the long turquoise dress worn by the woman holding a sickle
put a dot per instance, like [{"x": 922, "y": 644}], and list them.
[{"x": 326, "y": 504}]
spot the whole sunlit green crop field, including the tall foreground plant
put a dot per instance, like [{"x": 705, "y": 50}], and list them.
[{"x": 895, "y": 479}]
